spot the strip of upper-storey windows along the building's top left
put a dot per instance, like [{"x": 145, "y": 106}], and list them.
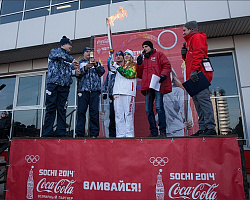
[{"x": 13, "y": 10}]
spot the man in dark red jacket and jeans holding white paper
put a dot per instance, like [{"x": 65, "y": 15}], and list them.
[{"x": 149, "y": 63}]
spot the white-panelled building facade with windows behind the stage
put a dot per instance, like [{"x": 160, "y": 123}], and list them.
[{"x": 31, "y": 28}]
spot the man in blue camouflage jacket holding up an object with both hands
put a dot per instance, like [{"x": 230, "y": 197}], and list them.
[{"x": 88, "y": 91}]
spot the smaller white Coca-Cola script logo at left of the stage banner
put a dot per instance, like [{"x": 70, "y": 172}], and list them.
[{"x": 63, "y": 186}]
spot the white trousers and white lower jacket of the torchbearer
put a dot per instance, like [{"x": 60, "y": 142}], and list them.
[{"x": 124, "y": 92}]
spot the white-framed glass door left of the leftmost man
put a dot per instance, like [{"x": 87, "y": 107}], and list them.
[{"x": 28, "y": 105}]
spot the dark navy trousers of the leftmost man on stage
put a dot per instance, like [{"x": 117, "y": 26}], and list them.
[{"x": 56, "y": 101}]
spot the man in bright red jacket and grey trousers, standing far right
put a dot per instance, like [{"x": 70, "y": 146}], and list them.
[{"x": 193, "y": 52}]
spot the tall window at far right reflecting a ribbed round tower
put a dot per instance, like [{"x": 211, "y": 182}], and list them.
[{"x": 224, "y": 93}]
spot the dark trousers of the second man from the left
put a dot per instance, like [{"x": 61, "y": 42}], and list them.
[{"x": 86, "y": 99}]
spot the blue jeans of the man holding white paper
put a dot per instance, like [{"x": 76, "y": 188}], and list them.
[{"x": 149, "y": 100}]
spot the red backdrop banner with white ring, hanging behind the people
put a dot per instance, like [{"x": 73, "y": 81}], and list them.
[{"x": 169, "y": 41}]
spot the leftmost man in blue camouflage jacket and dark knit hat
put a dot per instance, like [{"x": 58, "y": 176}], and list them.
[{"x": 60, "y": 68}]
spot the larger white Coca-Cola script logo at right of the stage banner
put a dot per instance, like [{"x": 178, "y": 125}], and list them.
[{"x": 201, "y": 191}]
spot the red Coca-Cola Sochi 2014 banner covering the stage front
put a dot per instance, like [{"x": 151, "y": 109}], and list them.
[{"x": 192, "y": 168}]
